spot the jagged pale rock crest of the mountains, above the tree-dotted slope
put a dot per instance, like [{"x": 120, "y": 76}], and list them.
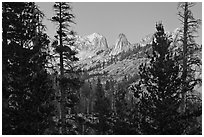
[{"x": 94, "y": 44}]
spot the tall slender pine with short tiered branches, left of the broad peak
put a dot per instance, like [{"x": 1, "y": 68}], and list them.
[{"x": 69, "y": 79}]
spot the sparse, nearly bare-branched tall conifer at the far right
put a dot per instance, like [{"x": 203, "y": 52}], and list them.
[{"x": 191, "y": 61}]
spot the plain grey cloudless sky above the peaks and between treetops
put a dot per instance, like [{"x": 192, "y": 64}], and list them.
[{"x": 134, "y": 19}]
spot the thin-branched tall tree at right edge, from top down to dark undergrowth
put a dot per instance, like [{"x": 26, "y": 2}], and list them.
[{"x": 190, "y": 54}]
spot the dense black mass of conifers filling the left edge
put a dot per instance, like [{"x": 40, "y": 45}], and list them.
[{"x": 26, "y": 87}]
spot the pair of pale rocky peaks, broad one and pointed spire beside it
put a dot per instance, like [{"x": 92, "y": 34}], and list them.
[{"x": 93, "y": 44}]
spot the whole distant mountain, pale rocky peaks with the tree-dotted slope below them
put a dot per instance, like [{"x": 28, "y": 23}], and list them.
[{"x": 122, "y": 59}]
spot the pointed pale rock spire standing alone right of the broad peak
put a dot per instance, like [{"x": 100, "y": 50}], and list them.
[{"x": 122, "y": 44}]
